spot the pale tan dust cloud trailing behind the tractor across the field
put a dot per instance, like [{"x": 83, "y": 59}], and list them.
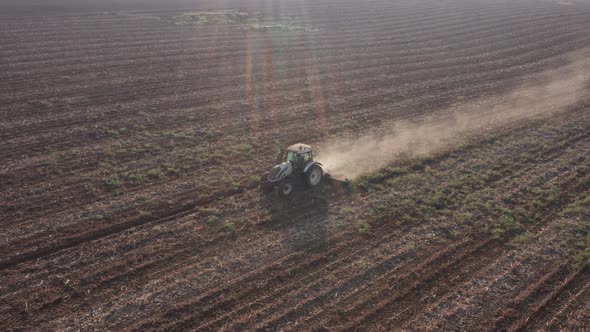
[{"x": 548, "y": 93}]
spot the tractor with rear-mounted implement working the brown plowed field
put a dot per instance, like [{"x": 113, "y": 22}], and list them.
[{"x": 296, "y": 166}]
